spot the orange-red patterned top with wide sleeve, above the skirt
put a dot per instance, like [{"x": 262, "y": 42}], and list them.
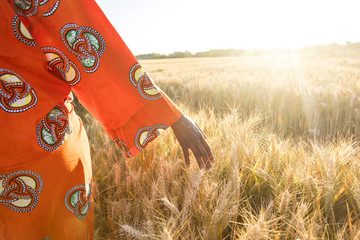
[{"x": 85, "y": 54}]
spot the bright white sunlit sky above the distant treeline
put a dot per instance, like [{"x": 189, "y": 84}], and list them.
[{"x": 166, "y": 26}]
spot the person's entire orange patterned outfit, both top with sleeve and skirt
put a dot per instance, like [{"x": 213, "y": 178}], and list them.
[{"x": 49, "y": 48}]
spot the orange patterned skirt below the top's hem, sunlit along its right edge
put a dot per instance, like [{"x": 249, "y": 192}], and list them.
[{"x": 47, "y": 185}]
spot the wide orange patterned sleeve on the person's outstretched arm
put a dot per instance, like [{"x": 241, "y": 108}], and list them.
[{"x": 84, "y": 49}]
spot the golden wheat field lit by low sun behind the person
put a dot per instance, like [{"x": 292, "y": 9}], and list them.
[{"x": 284, "y": 131}]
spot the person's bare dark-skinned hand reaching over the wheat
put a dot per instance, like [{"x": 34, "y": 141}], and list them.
[{"x": 190, "y": 136}]
